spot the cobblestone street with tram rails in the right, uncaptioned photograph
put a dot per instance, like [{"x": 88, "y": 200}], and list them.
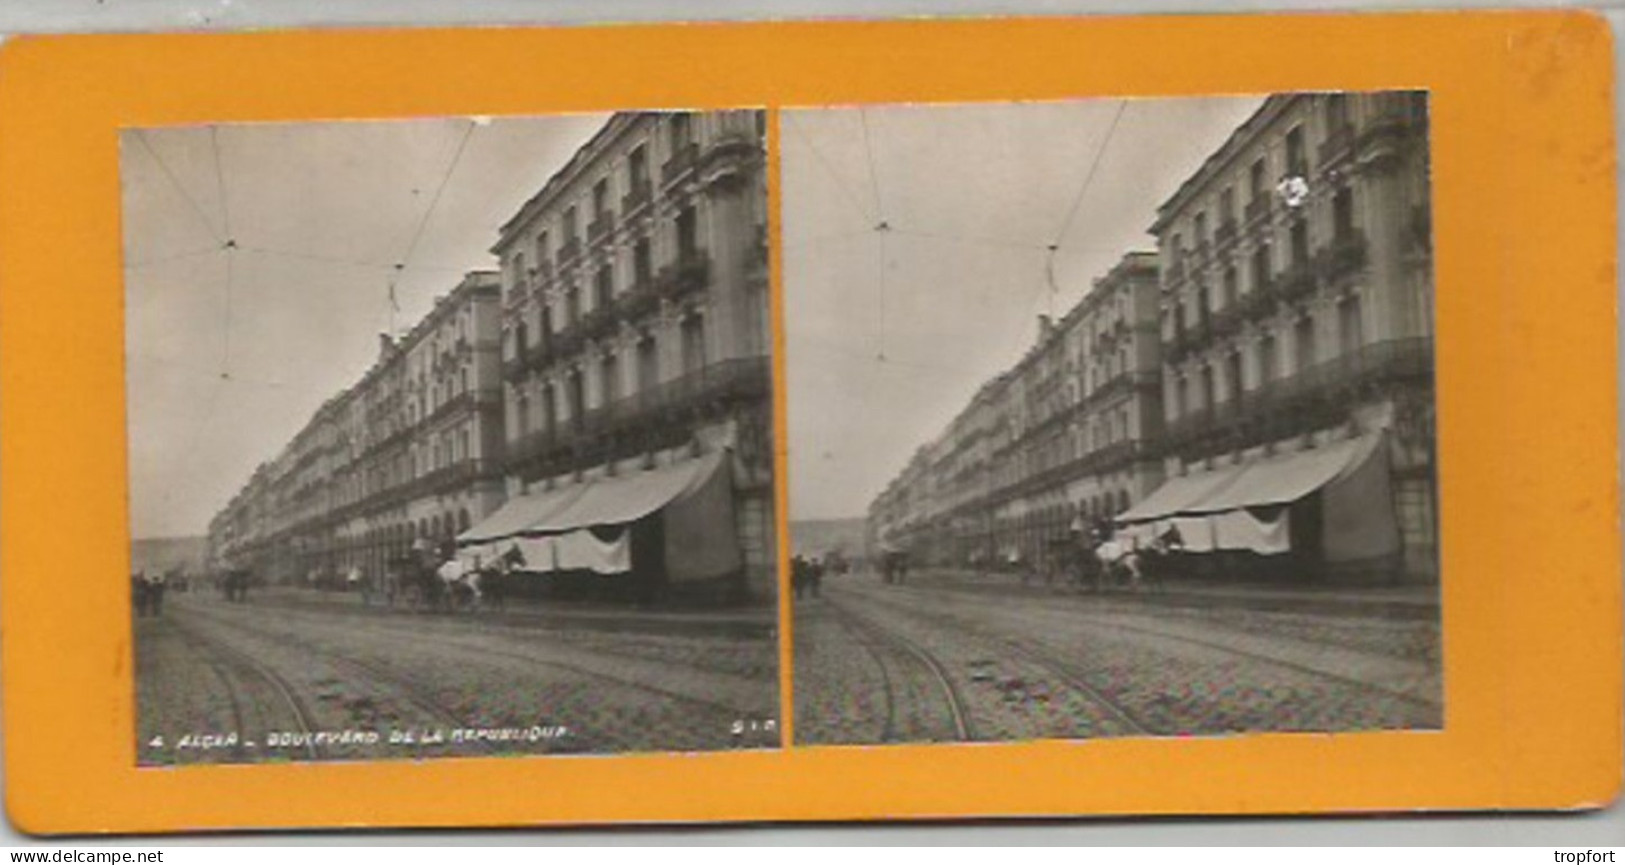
[{"x": 951, "y": 659}]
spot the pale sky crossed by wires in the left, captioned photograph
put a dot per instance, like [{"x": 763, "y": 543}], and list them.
[{"x": 222, "y": 380}]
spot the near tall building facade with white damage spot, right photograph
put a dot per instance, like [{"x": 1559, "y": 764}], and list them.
[{"x": 1298, "y": 313}]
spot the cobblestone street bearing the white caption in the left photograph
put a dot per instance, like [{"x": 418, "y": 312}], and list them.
[{"x": 297, "y": 676}]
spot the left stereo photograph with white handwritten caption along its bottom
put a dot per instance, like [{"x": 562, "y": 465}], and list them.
[{"x": 451, "y": 438}]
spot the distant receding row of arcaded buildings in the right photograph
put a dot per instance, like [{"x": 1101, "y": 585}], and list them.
[{"x": 1054, "y": 446}]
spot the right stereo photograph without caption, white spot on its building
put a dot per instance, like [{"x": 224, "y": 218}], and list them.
[{"x": 1112, "y": 419}]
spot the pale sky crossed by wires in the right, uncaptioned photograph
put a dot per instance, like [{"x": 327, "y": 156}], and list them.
[{"x": 974, "y": 196}]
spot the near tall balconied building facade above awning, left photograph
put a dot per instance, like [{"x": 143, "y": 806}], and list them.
[{"x": 636, "y": 324}]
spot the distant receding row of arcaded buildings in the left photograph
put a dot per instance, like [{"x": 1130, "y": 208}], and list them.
[{"x": 407, "y": 458}]
